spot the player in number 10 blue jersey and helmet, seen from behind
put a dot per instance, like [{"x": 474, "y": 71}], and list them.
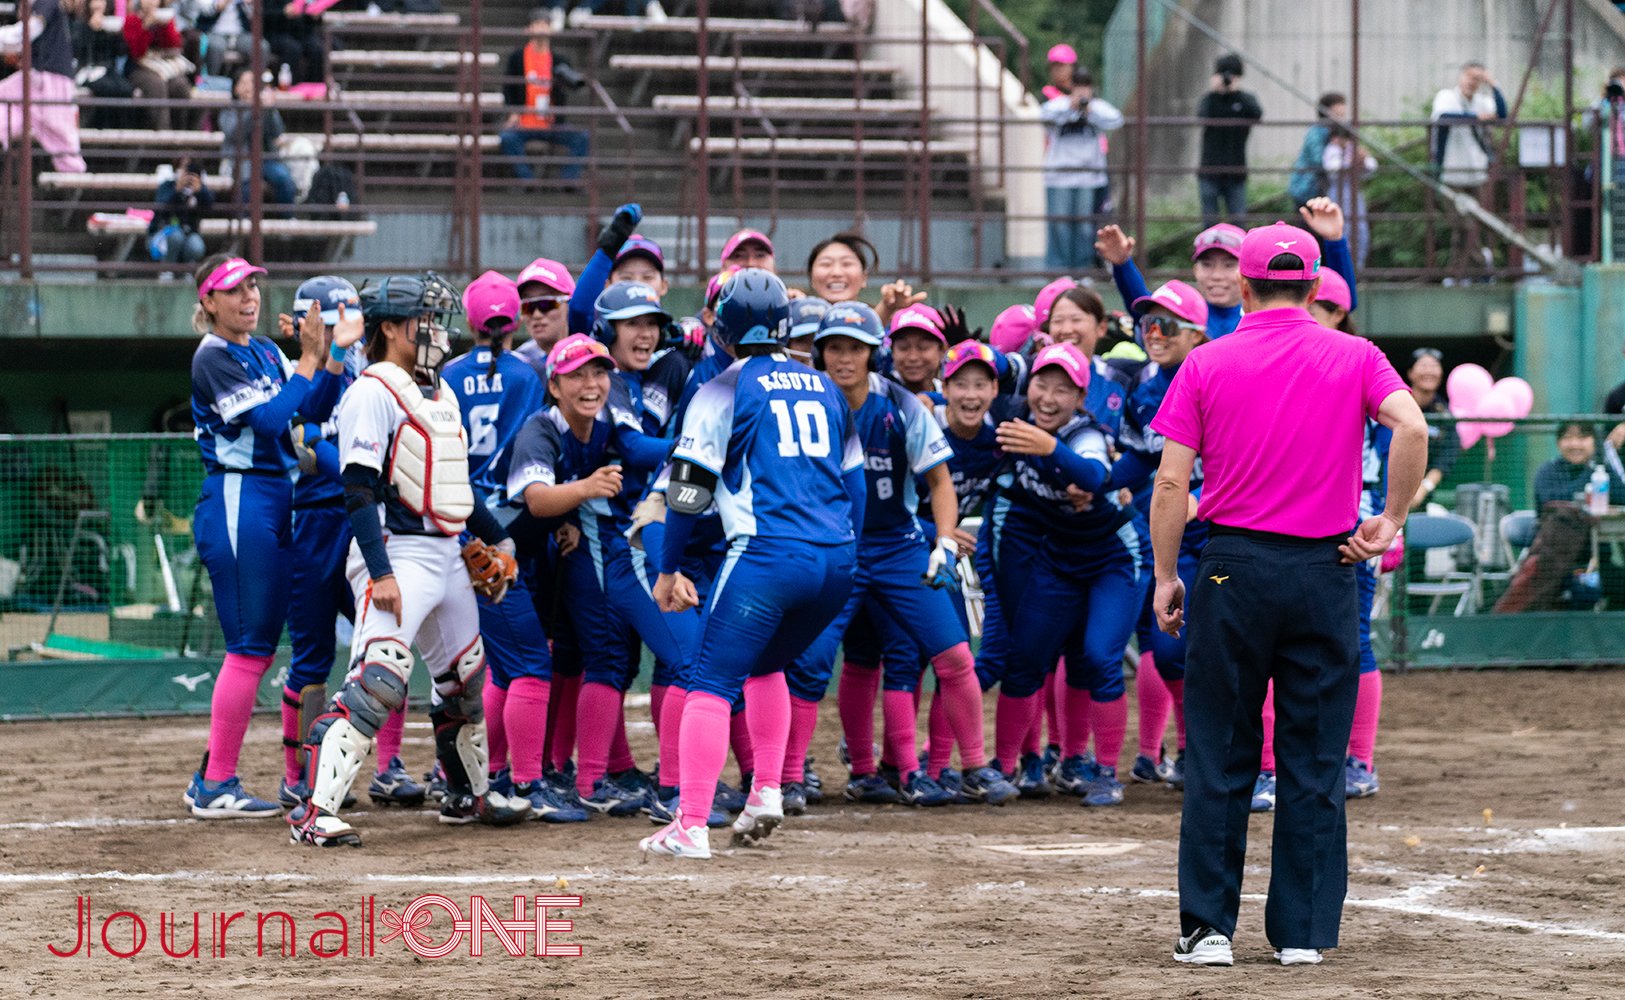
[{"x": 774, "y": 445}]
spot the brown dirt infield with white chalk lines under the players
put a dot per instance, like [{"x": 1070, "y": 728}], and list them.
[{"x": 849, "y": 902}]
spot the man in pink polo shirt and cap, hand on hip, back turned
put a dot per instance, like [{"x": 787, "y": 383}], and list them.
[{"x": 1276, "y": 411}]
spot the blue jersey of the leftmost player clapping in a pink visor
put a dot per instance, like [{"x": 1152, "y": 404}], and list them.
[{"x": 228, "y": 381}]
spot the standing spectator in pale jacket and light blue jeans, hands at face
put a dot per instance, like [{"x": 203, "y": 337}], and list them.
[{"x": 1075, "y": 172}]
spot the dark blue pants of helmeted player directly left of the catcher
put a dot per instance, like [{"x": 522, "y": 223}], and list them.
[{"x": 321, "y": 593}]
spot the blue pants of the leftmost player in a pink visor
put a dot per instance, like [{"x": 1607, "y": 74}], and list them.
[{"x": 245, "y": 534}]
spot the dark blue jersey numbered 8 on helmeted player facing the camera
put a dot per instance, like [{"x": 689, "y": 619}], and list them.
[{"x": 901, "y": 441}]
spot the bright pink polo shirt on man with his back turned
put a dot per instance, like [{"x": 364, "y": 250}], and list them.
[{"x": 1278, "y": 414}]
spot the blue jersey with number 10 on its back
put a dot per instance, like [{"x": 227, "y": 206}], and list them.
[{"x": 779, "y": 437}]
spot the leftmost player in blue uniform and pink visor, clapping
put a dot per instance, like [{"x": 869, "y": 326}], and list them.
[{"x": 245, "y": 393}]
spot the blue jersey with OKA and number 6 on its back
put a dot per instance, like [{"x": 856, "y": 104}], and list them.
[{"x": 495, "y": 407}]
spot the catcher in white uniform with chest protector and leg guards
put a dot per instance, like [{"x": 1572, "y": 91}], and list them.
[{"x": 405, "y": 472}]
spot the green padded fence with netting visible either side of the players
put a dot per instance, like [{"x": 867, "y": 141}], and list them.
[{"x": 106, "y": 611}]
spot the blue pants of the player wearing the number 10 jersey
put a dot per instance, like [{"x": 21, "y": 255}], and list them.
[{"x": 771, "y": 601}]
